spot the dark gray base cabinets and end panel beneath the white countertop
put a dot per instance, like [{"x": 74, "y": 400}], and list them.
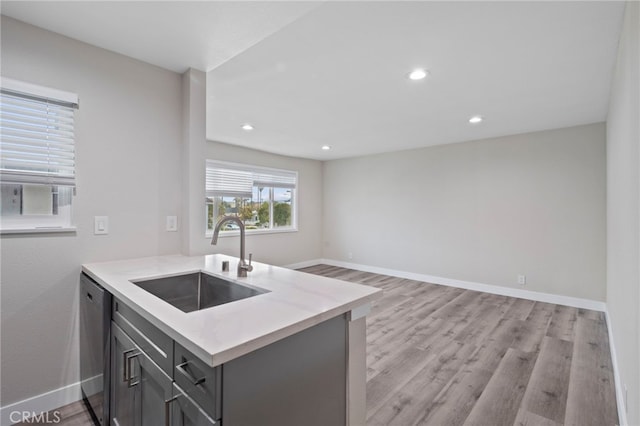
[{"x": 155, "y": 381}]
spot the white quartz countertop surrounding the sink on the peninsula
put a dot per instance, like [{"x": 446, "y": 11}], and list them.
[{"x": 295, "y": 301}]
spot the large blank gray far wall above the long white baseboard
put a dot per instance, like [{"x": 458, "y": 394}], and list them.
[{"x": 482, "y": 211}]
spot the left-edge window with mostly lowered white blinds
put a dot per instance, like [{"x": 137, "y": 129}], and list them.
[{"x": 37, "y": 157}]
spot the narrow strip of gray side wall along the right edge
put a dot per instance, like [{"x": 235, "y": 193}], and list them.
[{"x": 623, "y": 208}]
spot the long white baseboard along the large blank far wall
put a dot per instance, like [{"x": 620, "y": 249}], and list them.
[{"x": 470, "y": 285}]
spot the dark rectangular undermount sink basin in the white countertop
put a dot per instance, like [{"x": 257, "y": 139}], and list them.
[{"x": 195, "y": 291}]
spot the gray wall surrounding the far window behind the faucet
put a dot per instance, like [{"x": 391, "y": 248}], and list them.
[{"x": 283, "y": 248}]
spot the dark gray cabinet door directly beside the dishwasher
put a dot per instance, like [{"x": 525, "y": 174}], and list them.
[{"x": 123, "y": 390}]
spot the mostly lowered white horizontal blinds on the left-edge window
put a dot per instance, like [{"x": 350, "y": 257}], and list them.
[{"x": 36, "y": 135}]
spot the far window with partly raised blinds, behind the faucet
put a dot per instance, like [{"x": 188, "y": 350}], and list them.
[{"x": 263, "y": 198}]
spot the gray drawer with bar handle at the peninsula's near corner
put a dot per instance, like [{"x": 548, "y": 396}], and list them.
[{"x": 199, "y": 381}]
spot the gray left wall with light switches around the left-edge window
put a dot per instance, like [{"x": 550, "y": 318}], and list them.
[{"x": 128, "y": 133}]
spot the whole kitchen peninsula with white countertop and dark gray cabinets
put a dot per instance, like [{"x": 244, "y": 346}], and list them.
[{"x": 294, "y": 351}]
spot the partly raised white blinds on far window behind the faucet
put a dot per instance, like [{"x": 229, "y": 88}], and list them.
[{"x": 238, "y": 180}]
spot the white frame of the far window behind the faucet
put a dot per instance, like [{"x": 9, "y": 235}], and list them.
[{"x": 257, "y": 169}]
